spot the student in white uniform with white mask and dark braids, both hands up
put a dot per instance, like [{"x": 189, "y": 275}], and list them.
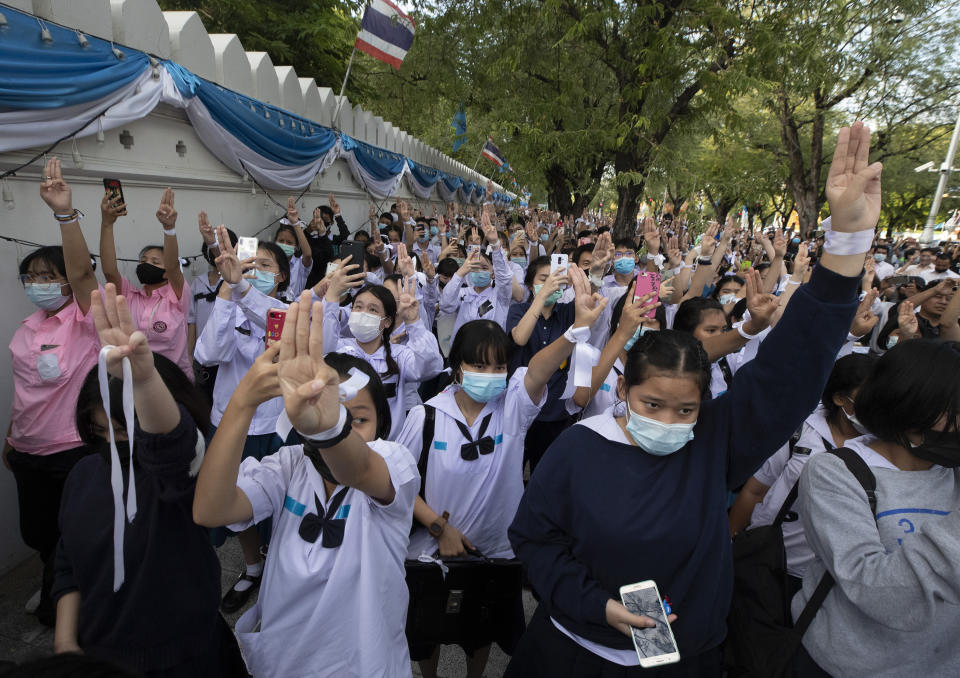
[{"x": 373, "y": 316}]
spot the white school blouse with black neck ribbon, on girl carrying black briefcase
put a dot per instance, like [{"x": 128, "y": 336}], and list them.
[{"x": 481, "y": 495}]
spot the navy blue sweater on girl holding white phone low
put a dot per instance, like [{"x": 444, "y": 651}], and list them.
[{"x": 598, "y": 514}]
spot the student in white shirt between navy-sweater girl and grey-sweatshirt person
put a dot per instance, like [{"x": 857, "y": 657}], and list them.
[{"x": 829, "y": 427}]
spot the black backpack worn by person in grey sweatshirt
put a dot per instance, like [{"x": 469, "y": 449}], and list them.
[{"x": 761, "y": 636}]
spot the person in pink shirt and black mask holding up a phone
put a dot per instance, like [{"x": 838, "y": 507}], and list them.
[{"x": 160, "y": 307}]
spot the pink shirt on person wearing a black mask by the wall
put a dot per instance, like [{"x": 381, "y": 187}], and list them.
[{"x": 163, "y": 318}]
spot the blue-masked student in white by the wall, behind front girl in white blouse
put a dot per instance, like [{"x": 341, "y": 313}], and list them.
[{"x": 232, "y": 341}]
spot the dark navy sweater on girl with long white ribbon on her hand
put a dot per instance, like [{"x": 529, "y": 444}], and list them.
[{"x": 166, "y": 612}]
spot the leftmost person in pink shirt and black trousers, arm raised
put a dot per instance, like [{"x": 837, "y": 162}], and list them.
[{"x": 50, "y": 354}]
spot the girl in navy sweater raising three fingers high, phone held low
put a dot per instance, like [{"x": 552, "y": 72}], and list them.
[{"x": 665, "y": 466}]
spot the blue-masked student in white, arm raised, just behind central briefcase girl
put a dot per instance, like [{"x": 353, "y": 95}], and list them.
[{"x": 479, "y": 300}]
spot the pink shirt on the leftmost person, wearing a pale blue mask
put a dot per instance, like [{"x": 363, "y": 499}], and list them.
[{"x": 51, "y": 357}]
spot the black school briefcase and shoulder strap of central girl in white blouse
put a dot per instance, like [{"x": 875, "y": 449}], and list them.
[{"x": 473, "y": 602}]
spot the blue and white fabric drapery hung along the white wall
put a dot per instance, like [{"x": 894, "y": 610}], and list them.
[{"x": 59, "y": 88}]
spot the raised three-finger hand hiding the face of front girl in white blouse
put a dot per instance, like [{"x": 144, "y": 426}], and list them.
[{"x": 310, "y": 387}]
